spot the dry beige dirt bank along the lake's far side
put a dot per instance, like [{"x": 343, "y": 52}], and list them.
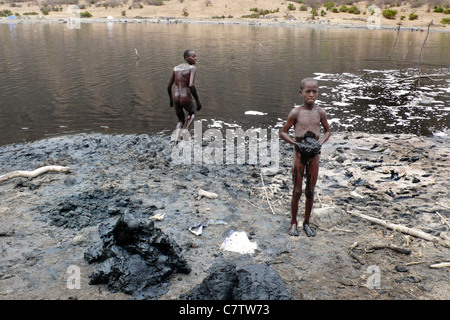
[{"x": 224, "y": 11}]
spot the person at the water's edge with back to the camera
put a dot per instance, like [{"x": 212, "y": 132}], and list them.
[{"x": 183, "y": 76}]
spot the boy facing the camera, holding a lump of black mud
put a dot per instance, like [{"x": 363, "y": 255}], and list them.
[{"x": 307, "y": 120}]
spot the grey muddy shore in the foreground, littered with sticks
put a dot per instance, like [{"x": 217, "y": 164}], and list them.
[{"x": 49, "y": 222}]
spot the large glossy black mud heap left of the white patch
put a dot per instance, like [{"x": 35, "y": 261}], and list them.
[{"x": 135, "y": 258}]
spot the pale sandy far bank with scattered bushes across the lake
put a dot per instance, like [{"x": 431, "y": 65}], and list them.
[{"x": 220, "y": 12}]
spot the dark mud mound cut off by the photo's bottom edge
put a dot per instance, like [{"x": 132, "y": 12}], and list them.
[{"x": 251, "y": 282}]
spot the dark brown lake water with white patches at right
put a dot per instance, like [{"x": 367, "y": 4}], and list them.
[{"x": 55, "y": 80}]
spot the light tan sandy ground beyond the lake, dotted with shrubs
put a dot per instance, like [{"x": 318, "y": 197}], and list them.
[{"x": 232, "y": 11}]
